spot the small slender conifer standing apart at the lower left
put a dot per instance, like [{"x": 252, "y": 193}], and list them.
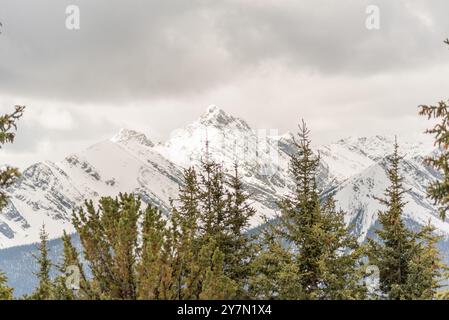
[{"x": 44, "y": 291}]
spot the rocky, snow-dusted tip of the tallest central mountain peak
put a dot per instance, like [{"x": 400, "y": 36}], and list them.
[{"x": 217, "y": 117}]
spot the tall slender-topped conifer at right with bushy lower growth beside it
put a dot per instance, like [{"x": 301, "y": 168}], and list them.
[{"x": 408, "y": 261}]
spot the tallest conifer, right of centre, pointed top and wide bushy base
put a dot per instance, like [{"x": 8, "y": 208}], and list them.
[{"x": 324, "y": 255}]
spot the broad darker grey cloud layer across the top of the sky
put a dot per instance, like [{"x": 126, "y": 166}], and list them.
[{"x": 138, "y": 50}]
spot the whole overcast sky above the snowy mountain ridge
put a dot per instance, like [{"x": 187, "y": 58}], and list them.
[{"x": 155, "y": 65}]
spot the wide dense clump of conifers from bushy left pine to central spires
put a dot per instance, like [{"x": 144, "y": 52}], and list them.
[{"x": 140, "y": 254}]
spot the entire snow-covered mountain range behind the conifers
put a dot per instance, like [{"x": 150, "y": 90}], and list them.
[{"x": 354, "y": 169}]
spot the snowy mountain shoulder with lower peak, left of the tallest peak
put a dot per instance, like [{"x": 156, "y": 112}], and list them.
[{"x": 47, "y": 193}]
